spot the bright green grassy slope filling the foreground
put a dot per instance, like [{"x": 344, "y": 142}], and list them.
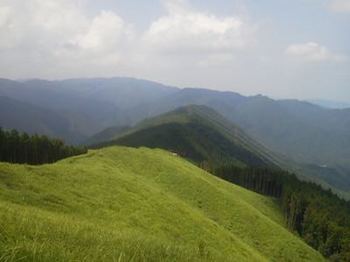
[{"x": 127, "y": 204}]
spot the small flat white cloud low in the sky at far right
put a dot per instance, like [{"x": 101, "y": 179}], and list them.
[{"x": 312, "y": 52}]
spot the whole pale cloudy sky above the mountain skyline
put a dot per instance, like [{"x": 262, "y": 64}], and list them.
[{"x": 280, "y": 48}]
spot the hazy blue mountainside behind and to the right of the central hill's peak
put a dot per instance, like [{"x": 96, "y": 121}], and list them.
[{"x": 310, "y": 136}]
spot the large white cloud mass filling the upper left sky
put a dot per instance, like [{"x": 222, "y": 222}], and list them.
[{"x": 59, "y": 33}]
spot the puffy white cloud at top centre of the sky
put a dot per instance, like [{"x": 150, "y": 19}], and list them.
[{"x": 185, "y": 31}]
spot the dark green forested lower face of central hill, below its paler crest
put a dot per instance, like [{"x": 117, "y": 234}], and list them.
[{"x": 194, "y": 141}]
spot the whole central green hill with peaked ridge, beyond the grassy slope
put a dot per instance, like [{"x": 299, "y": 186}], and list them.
[{"x": 197, "y": 133}]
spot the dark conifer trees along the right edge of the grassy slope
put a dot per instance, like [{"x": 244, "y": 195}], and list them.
[{"x": 320, "y": 217}]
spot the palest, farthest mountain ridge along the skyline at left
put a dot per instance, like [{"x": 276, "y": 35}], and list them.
[{"x": 75, "y": 93}]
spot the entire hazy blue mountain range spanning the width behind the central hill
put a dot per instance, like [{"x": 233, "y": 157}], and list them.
[{"x": 315, "y": 139}]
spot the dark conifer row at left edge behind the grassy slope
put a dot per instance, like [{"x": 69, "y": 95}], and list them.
[{"x": 16, "y": 147}]
